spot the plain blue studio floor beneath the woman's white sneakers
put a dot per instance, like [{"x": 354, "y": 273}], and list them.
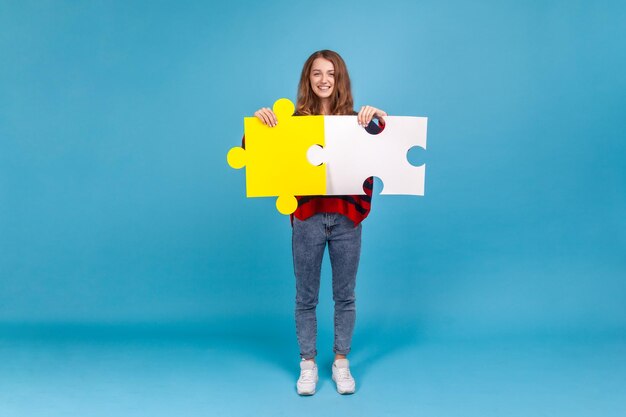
[{"x": 238, "y": 370}]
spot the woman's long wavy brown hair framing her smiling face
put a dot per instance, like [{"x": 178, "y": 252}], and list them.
[{"x": 341, "y": 102}]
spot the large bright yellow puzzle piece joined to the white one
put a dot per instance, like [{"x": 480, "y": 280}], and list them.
[{"x": 275, "y": 157}]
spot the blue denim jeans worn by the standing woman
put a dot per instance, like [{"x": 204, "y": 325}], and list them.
[{"x": 309, "y": 241}]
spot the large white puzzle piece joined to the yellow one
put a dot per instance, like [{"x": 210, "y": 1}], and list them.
[{"x": 351, "y": 155}]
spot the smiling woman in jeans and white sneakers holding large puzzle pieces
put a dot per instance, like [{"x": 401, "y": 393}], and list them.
[{"x": 324, "y": 89}]
